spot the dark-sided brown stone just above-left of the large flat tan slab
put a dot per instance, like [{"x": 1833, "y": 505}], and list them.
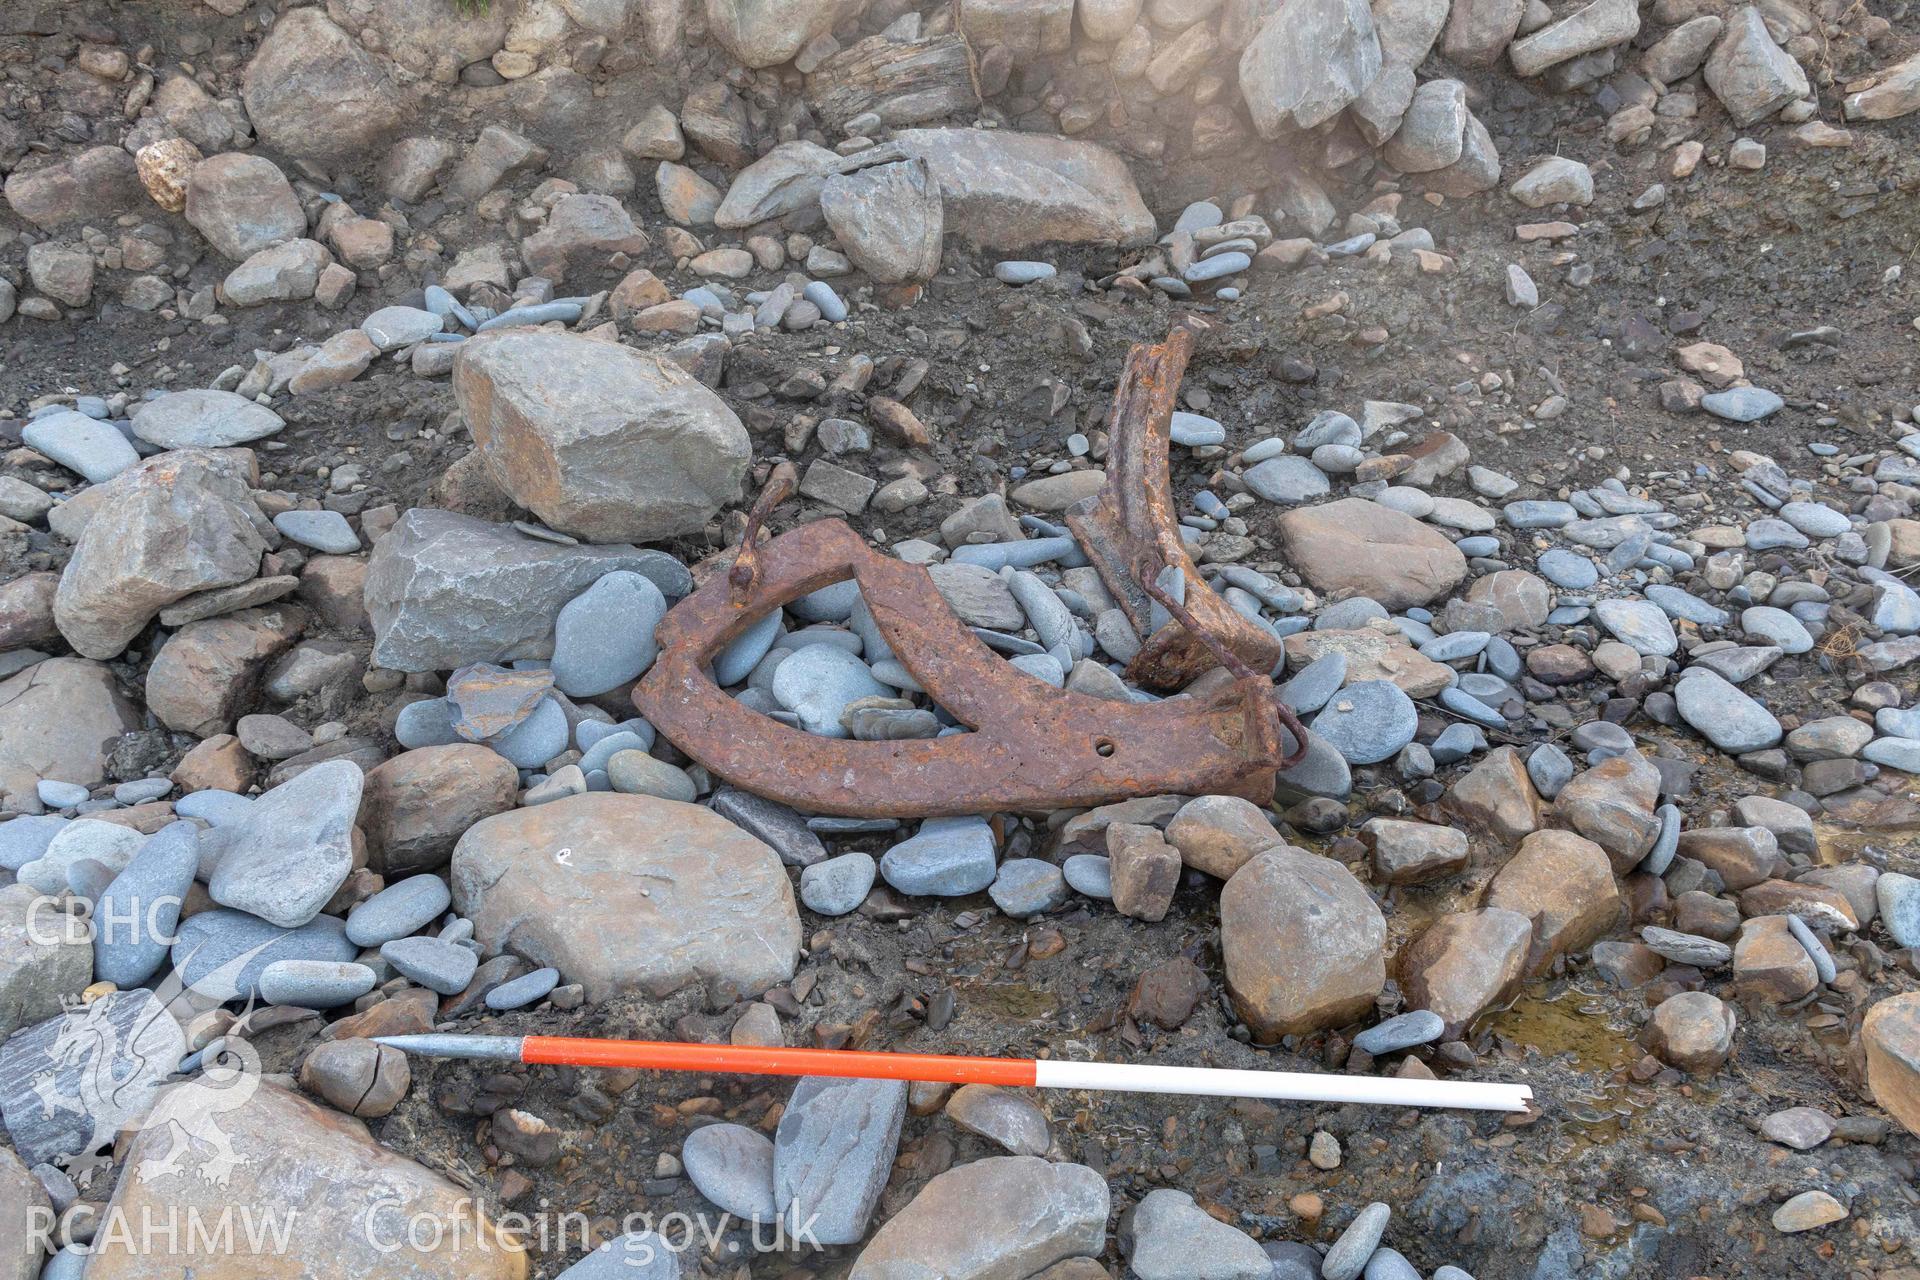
[{"x": 418, "y": 805}]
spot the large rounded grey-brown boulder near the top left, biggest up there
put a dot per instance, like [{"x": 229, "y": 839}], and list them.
[{"x": 316, "y": 95}]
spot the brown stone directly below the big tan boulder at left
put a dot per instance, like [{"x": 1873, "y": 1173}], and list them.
[{"x": 206, "y": 673}]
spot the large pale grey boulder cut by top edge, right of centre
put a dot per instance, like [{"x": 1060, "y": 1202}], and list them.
[{"x": 1308, "y": 62}]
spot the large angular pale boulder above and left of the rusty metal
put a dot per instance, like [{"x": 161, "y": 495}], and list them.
[{"x": 600, "y": 440}]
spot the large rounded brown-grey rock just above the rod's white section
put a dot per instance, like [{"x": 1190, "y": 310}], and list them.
[{"x": 1301, "y": 943}]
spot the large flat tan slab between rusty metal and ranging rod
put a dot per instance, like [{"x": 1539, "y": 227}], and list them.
[{"x": 654, "y": 895}]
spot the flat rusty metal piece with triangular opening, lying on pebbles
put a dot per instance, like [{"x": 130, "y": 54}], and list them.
[{"x": 1034, "y": 747}]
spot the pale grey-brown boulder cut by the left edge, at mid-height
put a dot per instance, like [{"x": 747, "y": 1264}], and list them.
[{"x": 60, "y": 721}]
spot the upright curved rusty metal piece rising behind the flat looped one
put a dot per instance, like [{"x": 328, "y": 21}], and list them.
[{"x": 1132, "y": 533}]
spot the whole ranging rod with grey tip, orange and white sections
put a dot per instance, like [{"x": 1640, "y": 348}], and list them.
[{"x": 953, "y": 1070}]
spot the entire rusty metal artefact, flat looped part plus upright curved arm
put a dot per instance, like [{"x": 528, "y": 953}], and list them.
[{"x": 1030, "y": 746}]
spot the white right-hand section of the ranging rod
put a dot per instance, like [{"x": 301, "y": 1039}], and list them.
[{"x": 1282, "y": 1085}]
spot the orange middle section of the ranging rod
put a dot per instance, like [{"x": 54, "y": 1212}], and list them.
[{"x": 750, "y": 1060}]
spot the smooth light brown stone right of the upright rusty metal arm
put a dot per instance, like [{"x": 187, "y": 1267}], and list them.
[{"x": 1368, "y": 550}]
